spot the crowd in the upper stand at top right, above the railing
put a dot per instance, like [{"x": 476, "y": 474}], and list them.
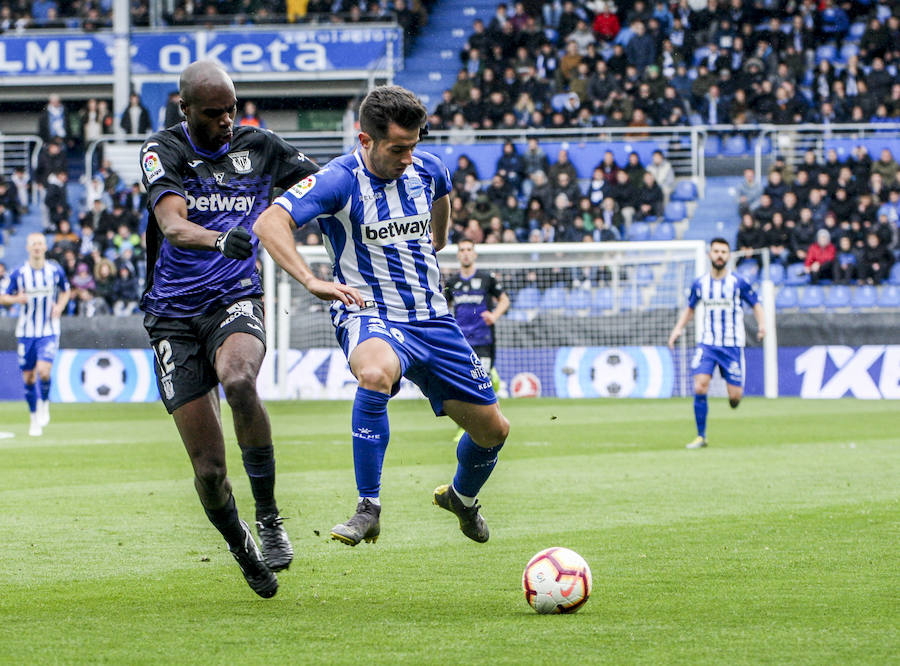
[{"x": 568, "y": 63}]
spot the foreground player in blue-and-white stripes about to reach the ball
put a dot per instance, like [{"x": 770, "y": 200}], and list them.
[{"x": 384, "y": 210}]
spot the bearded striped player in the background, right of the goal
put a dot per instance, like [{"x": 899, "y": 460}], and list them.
[{"x": 722, "y": 294}]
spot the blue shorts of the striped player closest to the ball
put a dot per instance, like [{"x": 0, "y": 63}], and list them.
[{"x": 433, "y": 354}]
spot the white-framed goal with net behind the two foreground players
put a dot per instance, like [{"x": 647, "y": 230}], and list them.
[{"x": 587, "y": 320}]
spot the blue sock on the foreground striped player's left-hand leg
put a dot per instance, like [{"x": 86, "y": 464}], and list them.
[{"x": 371, "y": 432}]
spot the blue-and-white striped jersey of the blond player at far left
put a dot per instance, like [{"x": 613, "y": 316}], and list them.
[{"x": 43, "y": 286}]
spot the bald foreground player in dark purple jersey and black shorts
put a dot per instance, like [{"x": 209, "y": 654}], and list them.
[{"x": 207, "y": 181}]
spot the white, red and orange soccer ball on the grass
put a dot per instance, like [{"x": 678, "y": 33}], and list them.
[{"x": 557, "y": 580}]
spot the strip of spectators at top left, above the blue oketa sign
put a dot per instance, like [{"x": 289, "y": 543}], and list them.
[{"x": 90, "y": 16}]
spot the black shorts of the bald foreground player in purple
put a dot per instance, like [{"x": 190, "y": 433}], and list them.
[{"x": 185, "y": 348}]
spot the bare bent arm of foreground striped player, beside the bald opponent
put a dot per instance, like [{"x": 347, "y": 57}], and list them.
[{"x": 274, "y": 228}]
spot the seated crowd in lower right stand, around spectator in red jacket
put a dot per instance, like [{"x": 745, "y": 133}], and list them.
[{"x": 836, "y": 219}]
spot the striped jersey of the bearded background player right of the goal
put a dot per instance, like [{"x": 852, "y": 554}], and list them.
[{"x": 723, "y": 316}]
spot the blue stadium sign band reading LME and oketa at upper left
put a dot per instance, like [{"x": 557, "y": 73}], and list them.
[{"x": 258, "y": 52}]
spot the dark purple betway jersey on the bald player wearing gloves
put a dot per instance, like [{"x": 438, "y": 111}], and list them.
[{"x": 224, "y": 189}]
